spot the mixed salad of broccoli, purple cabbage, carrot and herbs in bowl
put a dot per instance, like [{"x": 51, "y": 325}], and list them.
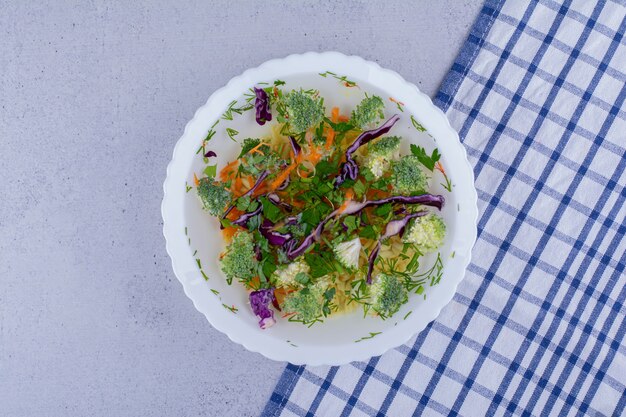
[{"x": 325, "y": 214}]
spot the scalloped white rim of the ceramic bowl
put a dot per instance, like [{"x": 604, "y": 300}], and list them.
[{"x": 315, "y": 355}]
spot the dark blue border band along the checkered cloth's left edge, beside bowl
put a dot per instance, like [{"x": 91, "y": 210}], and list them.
[{"x": 450, "y": 85}]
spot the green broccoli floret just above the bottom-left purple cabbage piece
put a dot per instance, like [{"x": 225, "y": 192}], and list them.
[{"x": 239, "y": 260}]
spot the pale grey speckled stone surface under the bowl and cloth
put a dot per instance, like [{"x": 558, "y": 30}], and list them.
[{"x": 93, "y": 97}]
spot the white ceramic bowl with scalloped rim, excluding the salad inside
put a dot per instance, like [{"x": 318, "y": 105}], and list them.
[{"x": 187, "y": 228}]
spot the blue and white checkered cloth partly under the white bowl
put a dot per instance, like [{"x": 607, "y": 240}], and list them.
[{"x": 537, "y": 326}]
